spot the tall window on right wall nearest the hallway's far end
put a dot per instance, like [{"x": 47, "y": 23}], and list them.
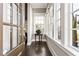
[{"x": 51, "y": 21}]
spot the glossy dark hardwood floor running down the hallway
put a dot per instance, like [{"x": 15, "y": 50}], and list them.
[{"x": 36, "y": 49}]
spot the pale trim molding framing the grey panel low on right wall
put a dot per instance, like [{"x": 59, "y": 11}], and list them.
[{"x": 58, "y": 46}]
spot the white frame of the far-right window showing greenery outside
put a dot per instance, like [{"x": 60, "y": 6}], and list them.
[{"x": 71, "y": 29}]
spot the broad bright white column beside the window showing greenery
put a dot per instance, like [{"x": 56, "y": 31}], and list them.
[{"x": 67, "y": 25}]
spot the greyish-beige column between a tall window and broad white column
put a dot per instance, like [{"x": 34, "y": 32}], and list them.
[{"x": 62, "y": 19}]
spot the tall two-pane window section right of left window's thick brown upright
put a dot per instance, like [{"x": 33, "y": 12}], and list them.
[{"x": 14, "y": 28}]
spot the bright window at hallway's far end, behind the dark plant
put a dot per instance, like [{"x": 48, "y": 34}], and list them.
[{"x": 39, "y": 22}]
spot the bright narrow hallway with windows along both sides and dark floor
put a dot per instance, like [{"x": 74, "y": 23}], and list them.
[{"x": 57, "y": 25}]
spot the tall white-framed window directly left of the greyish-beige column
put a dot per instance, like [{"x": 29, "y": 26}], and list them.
[{"x": 58, "y": 9}]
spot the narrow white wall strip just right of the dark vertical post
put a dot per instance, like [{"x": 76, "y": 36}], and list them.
[{"x": 29, "y": 21}]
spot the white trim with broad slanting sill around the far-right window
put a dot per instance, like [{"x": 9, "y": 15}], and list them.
[{"x": 70, "y": 47}]
